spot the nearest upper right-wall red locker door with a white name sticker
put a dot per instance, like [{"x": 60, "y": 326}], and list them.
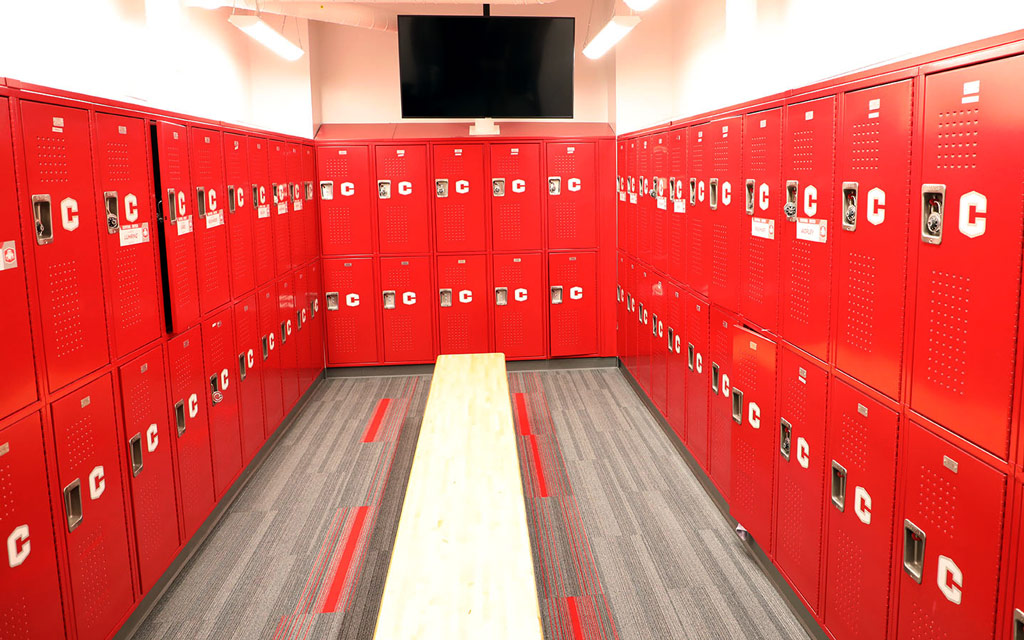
[{"x": 809, "y": 149}]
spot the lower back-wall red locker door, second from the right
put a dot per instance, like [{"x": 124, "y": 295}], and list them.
[{"x": 520, "y": 301}]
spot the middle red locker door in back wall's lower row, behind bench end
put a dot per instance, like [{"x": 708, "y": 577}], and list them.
[{"x": 462, "y": 286}]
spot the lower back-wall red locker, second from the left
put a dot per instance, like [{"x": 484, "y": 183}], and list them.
[{"x": 407, "y": 310}]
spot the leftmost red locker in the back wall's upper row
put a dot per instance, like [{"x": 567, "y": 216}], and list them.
[{"x": 347, "y": 208}]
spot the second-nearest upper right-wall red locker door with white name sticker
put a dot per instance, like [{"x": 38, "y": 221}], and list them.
[{"x": 763, "y": 201}]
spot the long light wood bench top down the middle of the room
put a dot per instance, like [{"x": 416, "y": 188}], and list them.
[{"x": 462, "y": 567}]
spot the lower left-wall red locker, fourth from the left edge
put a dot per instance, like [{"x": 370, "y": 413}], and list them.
[{"x": 185, "y": 363}]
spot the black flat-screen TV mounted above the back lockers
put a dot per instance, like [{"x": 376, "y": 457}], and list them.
[{"x": 486, "y": 67}]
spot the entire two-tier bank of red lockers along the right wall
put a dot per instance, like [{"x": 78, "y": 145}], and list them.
[{"x": 822, "y": 295}]
